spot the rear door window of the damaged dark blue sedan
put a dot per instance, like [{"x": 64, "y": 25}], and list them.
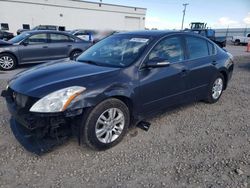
[{"x": 197, "y": 47}]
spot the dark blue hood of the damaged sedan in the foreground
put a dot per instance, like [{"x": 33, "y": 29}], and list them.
[{"x": 49, "y": 77}]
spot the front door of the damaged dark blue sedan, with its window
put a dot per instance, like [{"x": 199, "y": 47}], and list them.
[{"x": 163, "y": 86}]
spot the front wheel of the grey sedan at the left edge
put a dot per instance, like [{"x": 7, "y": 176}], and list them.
[{"x": 7, "y": 62}]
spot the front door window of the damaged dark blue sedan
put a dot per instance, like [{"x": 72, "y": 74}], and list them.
[{"x": 169, "y": 49}]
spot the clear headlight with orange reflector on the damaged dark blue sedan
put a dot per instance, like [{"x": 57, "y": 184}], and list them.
[{"x": 57, "y": 101}]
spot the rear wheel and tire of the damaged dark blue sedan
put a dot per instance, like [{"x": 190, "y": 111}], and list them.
[{"x": 216, "y": 88}]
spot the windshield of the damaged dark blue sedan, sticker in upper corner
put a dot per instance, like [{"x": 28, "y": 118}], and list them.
[{"x": 115, "y": 51}]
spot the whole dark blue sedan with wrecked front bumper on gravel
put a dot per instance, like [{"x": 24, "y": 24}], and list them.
[{"x": 116, "y": 83}]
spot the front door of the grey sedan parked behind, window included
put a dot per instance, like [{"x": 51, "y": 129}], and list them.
[{"x": 34, "y": 48}]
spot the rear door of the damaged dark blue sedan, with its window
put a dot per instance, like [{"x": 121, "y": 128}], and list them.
[{"x": 200, "y": 63}]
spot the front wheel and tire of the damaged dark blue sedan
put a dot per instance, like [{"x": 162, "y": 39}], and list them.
[{"x": 110, "y": 133}]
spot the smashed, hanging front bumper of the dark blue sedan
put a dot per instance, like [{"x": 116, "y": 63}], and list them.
[{"x": 39, "y": 132}]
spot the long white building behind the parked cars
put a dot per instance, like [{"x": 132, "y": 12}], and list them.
[{"x": 71, "y": 14}]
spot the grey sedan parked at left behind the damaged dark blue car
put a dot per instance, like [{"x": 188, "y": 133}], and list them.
[{"x": 39, "y": 46}]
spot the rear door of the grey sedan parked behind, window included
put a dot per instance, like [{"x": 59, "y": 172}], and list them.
[{"x": 60, "y": 45}]
